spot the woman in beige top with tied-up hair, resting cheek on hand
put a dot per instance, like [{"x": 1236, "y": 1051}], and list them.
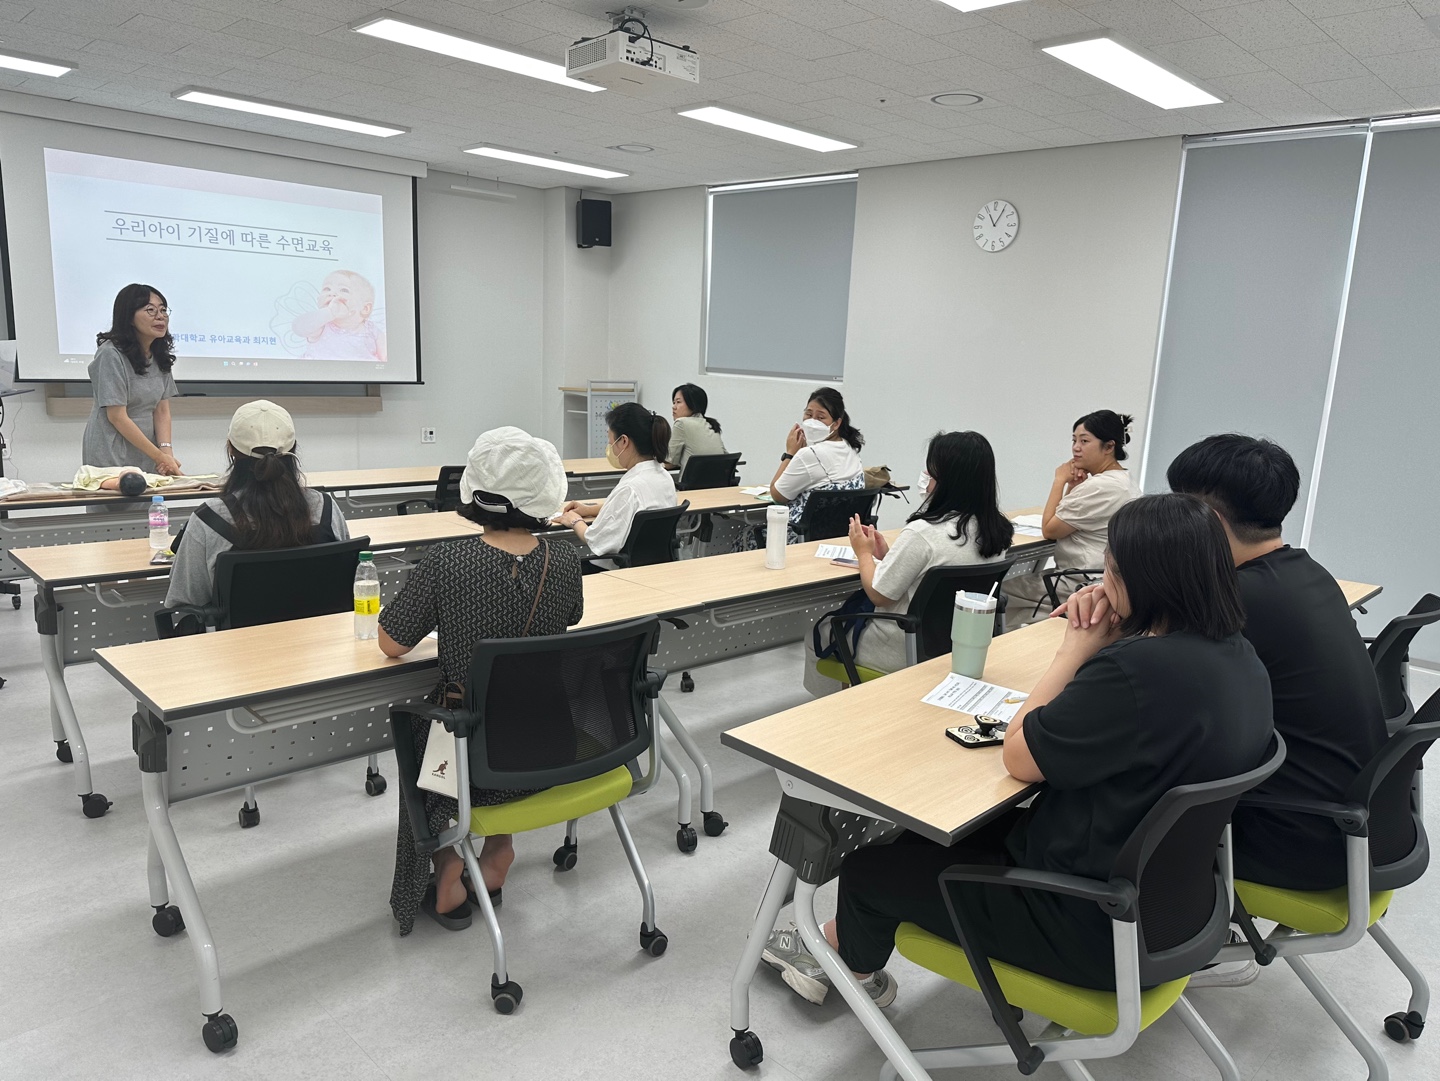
[{"x": 1089, "y": 487}]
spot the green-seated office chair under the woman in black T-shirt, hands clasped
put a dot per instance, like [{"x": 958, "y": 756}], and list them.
[{"x": 1170, "y": 909}]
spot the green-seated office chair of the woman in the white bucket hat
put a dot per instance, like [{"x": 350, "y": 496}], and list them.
[{"x": 570, "y": 715}]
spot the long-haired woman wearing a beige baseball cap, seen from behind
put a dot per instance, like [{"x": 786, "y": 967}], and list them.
[{"x": 264, "y": 505}]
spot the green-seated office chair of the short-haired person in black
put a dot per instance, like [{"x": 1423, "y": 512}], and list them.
[{"x": 1386, "y": 849}]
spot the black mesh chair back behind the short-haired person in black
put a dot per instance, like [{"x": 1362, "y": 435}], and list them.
[{"x": 1399, "y": 847}]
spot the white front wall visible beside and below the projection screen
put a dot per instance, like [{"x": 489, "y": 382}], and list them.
[{"x": 482, "y": 322}]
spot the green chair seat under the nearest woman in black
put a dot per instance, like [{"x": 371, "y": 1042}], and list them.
[{"x": 1081, "y": 1010}]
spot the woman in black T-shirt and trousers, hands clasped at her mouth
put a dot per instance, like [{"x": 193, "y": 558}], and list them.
[{"x": 1163, "y": 692}]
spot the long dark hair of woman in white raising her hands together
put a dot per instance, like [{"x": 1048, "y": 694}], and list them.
[{"x": 966, "y": 490}]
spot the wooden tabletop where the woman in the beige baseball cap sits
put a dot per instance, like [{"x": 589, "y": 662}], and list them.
[{"x": 60, "y": 565}]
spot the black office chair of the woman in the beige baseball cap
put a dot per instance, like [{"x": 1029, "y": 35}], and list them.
[{"x": 274, "y": 587}]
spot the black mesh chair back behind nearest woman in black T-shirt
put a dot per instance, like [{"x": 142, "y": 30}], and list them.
[{"x": 1184, "y": 906}]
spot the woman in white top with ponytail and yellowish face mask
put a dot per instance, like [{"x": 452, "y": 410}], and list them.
[{"x": 637, "y": 440}]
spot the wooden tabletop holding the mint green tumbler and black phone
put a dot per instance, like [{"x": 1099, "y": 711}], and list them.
[{"x": 885, "y": 751}]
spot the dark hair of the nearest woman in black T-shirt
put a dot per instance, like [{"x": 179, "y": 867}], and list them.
[{"x": 1173, "y": 556}]
